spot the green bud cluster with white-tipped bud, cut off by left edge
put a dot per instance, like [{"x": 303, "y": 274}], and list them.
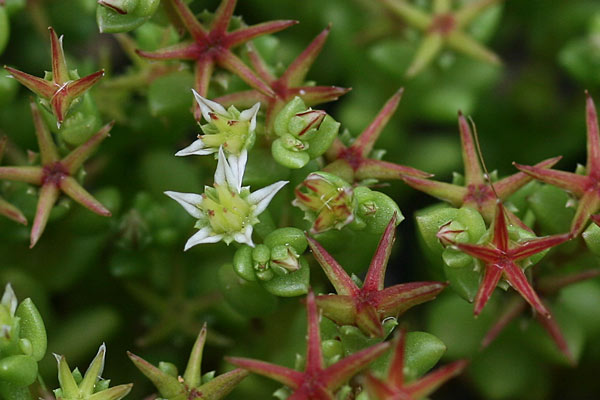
[{"x": 22, "y": 343}]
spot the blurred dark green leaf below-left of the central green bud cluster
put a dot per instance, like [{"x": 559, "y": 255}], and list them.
[{"x": 248, "y": 298}]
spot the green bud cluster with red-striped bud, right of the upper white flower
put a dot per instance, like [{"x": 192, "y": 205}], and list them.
[{"x": 303, "y": 134}]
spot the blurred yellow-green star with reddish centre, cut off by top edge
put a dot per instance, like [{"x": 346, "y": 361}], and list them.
[{"x": 443, "y": 27}]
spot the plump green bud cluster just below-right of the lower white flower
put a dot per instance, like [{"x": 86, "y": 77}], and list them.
[{"x": 277, "y": 264}]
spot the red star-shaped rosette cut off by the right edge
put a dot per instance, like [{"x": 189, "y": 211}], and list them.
[{"x": 584, "y": 187}]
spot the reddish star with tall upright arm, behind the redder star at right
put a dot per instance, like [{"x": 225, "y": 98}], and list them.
[{"x": 476, "y": 192}]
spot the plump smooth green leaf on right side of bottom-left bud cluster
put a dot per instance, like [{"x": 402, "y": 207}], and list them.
[{"x": 32, "y": 328}]
